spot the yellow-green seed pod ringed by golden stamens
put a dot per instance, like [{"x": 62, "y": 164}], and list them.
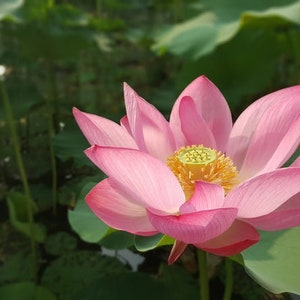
[{"x": 193, "y": 163}]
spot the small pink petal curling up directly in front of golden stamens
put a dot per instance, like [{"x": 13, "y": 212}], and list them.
[{"x": 205, "y": 197}]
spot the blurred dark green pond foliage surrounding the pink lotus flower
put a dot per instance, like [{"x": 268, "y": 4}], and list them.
[{"x": 60, "y": 54}]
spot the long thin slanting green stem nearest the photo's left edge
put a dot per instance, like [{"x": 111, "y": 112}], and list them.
[{"x": 20, "y": 164}]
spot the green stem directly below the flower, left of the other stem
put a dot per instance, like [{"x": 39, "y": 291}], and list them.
[{"x": 203, "y": 275}]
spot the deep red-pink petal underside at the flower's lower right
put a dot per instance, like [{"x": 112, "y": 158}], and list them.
[{"x": 236, "y": 239}]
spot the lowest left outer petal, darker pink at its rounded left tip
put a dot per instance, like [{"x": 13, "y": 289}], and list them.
[{"x": 117, "y": 211}]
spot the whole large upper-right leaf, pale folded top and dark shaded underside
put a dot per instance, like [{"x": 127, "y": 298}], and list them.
[{"x": 229, "y": 41}]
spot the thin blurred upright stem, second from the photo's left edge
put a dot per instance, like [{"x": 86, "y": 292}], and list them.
[{"x": 51, "y": 101}]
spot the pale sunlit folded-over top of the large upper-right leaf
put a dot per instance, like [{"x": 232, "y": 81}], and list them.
[{"x": 220, "y": 23}]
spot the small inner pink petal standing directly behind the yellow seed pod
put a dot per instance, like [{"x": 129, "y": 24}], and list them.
[{"x": 194, "y": 127}]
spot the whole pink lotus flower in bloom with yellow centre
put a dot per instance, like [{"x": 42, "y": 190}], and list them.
[{"x": 197, "y": 178}]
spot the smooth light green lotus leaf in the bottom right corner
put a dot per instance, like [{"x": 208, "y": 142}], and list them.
[{"x": 274, "y": 261}]
